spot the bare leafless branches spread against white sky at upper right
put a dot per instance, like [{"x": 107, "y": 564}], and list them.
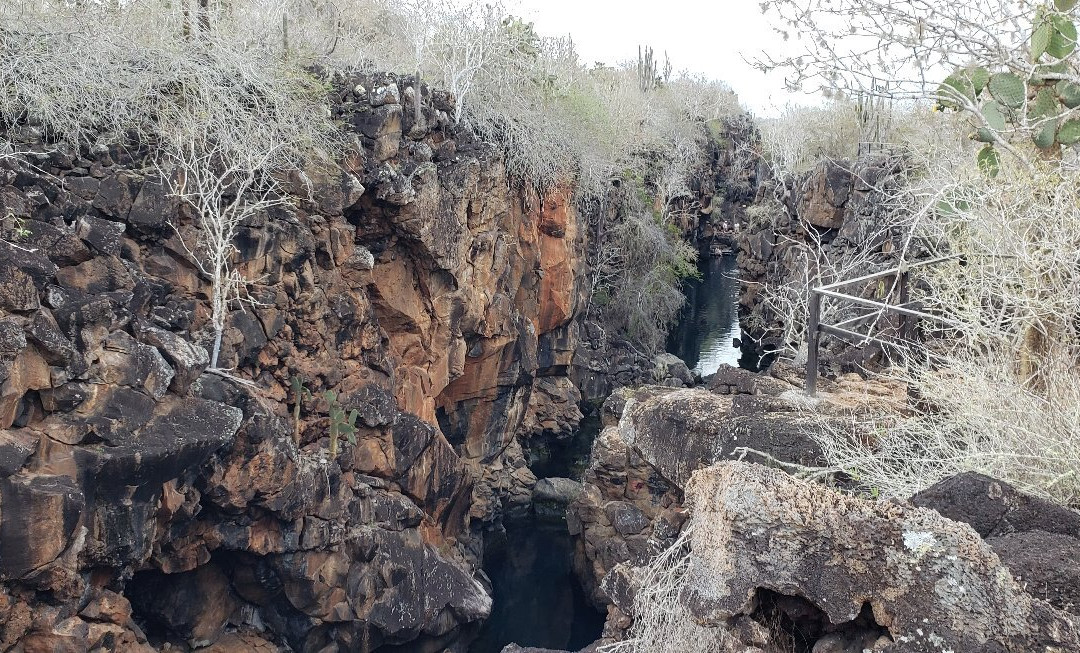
[{"x": 848, "y": 45}]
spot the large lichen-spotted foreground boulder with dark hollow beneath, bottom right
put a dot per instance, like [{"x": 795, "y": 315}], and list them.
[{"x": 902, "y": 578}]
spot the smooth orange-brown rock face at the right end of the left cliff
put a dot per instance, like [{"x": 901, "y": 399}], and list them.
[{"x": 487, "y": 276}]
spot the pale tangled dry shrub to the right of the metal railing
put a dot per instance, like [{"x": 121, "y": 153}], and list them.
[{"x": 1000, "y": 384}]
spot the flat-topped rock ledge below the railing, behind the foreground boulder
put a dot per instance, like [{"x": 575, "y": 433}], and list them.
[{"x": 632, "y": 506}]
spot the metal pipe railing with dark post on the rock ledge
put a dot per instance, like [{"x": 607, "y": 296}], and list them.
[{"x": 903, "y": 309}]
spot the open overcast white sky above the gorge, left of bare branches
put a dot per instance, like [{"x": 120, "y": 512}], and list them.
[{"x": 699, "y": 36}]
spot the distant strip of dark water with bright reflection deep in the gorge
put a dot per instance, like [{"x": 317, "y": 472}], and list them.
[{"x": 706, "y": 332}]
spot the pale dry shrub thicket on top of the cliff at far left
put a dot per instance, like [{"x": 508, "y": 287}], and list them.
[{"x": 87, "y": 73}]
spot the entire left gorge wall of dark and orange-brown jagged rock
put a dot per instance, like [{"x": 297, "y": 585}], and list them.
[{"x": 144, "y": 499}]
